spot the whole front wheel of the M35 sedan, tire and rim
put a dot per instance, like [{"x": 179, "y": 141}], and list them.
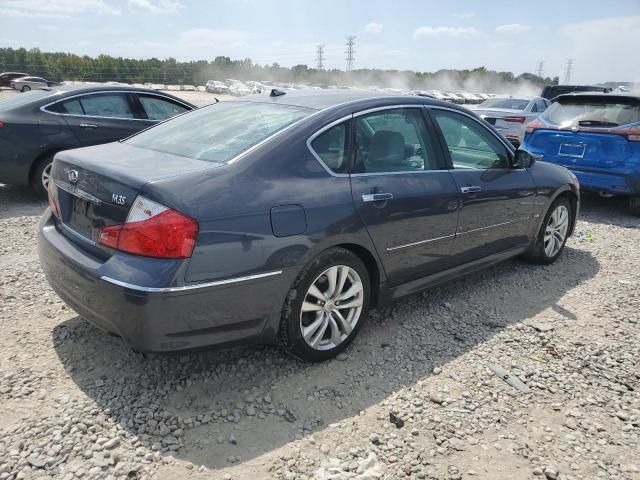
[{"x": 553, "y": 234}]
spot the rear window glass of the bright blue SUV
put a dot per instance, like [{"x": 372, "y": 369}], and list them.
[{"x": 593, "y": 112}]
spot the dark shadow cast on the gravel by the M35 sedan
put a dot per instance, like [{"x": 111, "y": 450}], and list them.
[{"x": 217, "y": 408}]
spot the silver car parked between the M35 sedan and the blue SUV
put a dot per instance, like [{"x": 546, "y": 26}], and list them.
[{"x": 510, "y": 115}]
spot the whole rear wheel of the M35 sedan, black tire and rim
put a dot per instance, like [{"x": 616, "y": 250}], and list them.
[{"x": 315, "y": 325}]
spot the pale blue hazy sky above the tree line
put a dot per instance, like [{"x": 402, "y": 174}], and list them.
[{"x": 422, "y": 35}]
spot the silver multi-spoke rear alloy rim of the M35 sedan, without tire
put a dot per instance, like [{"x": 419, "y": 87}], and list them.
[{"x": 332, "y": 307}]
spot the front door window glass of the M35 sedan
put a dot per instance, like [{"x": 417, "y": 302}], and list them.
[{"x": 470, "y": 145}]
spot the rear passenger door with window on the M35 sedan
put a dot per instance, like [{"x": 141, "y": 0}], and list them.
[{"x": 403, "y": 193}]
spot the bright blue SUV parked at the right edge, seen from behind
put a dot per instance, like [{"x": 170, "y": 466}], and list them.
[{"x": 597, "y": 137}]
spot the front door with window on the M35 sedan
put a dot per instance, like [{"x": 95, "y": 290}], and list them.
[{"x": 497, "y": 199}]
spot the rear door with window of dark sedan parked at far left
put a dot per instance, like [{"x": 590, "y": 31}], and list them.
[{"x": 103, "y": 117}]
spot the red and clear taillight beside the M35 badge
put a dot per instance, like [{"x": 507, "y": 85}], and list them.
[{"x": 152, "y": 230}]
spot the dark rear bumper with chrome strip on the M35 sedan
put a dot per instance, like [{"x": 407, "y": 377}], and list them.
[{"x": 154, "y": 319}]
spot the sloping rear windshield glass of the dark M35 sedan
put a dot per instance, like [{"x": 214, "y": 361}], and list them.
[{"x": 219, "y": 132}]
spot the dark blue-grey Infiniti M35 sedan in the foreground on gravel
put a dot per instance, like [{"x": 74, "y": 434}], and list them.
[{"x": 285, "y": 217}]
